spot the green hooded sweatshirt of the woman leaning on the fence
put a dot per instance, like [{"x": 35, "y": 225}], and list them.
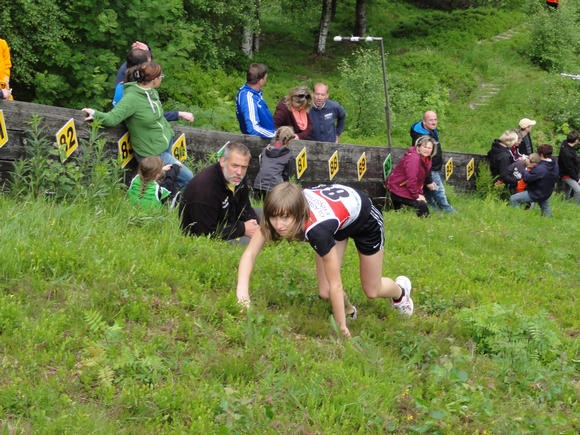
[{"x": 141, "y": 110}]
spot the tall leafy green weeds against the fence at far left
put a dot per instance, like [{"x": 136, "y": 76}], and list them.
[{"x": 93, "y": 173}]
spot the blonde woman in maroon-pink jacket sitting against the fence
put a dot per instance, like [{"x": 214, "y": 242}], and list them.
[{"x": 406, "y": 182}]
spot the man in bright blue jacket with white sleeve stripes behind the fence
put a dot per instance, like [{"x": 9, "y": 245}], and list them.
[{"x": 251, "y": 109}]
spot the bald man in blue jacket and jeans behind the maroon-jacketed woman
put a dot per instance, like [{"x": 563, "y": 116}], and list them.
[{"x": 437, "y": 198}]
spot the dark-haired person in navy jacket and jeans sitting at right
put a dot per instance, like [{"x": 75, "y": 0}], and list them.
[{"x": 540, "y": 182}]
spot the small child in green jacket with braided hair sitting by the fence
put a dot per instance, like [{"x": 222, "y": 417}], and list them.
[{"x": 145, "y": 189}]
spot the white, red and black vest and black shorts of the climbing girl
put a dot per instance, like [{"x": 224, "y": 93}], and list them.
[{"x": 338, "y": 212}]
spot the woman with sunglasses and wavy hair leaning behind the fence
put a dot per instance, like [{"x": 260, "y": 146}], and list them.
[{"x": 292, "y": 111}]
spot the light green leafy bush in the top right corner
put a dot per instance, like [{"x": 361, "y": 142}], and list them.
[{"x": 555, "y": 38}]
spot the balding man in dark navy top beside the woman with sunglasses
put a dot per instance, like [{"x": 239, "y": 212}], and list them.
[{"x": 327, "y": 116}]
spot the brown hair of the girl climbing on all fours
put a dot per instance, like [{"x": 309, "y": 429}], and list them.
[{"x": 285, "y": 199}]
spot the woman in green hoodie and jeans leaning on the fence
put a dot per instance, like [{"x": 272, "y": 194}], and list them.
[{"x": 141, "y": 110}]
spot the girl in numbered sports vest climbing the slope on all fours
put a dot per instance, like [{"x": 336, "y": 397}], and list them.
[{"x": 326, "y": 216}]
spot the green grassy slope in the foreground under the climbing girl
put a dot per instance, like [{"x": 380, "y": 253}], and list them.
[{"x": 110, "y": 321}]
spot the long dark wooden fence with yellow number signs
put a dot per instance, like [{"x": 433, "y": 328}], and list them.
[{"x": 347, "y": 166}]
